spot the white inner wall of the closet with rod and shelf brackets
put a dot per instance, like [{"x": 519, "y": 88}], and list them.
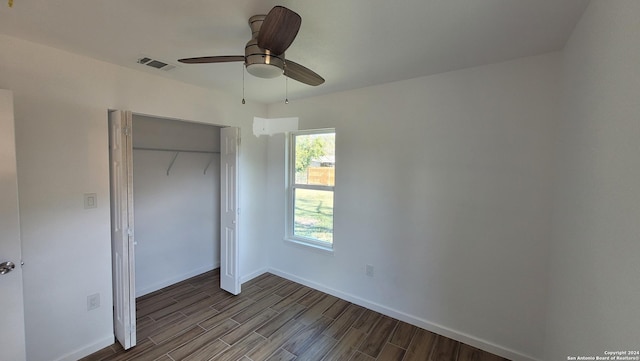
[{"x": 176, "y": 195}]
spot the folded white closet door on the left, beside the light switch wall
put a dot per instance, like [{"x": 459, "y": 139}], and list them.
[{"x": 122, "y": 245}]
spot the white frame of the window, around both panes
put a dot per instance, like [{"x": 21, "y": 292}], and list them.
[{"x": 292, "y": 186}]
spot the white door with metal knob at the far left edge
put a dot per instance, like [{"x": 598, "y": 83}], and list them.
[{"x": 12, "y": 343}]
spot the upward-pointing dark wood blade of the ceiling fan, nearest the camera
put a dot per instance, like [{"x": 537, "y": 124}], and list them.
[{"x": 279, "y": 29}]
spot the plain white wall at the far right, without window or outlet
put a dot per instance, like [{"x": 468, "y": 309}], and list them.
[{"x": 594, "y": 273}]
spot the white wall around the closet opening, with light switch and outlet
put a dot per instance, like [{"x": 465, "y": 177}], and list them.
[{"x": 61, "y": 103}]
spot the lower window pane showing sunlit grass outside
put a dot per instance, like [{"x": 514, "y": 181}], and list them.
[{"x": 313, "y": 214}]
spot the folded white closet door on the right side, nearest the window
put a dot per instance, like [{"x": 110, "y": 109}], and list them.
[{"x": 229, "y": 253}]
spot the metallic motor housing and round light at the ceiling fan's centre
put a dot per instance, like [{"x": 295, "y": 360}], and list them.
[{"x": 261, "y": 62}]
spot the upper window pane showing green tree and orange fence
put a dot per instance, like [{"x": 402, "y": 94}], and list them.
[{"x": 315, "y": 159}]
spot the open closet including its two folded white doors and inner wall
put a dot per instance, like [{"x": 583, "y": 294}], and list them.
[{"x": 173, "y": 208}]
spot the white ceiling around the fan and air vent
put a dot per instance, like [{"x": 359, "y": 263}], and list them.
[{"x": 351, "y": 43}]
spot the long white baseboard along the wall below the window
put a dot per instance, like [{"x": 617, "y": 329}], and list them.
[{"x": 416, "y": 321}]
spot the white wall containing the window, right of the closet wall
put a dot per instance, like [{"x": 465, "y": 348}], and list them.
[{"x": 443, "y": 184}]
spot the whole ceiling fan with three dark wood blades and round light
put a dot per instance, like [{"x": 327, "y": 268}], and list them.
[{"x": 263, "y": 55}]
